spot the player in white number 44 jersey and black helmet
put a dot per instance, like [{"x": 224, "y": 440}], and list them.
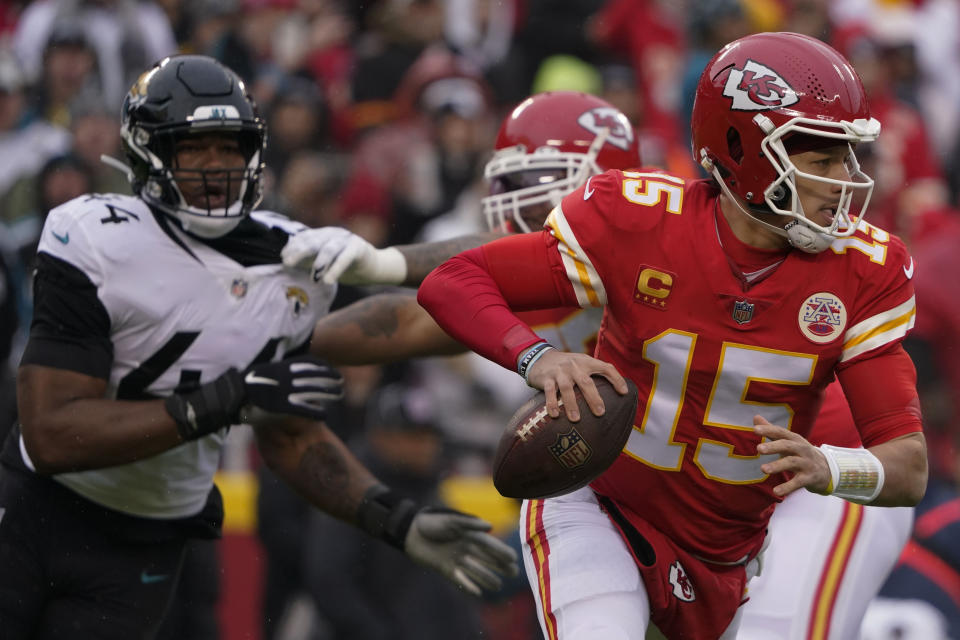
[{"x": 160, "y": 320}]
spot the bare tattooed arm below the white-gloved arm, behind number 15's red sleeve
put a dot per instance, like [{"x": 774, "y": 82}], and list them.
[{"x": 383, "y": 328}]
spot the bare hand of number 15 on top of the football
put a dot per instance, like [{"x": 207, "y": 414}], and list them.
[{"x": 558, "y": 372}]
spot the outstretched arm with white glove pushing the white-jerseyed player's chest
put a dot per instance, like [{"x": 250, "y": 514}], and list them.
[{"x": 334, "y": 254}]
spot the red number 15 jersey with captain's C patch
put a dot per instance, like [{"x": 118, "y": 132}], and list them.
[{"x": 708, "y": 356}]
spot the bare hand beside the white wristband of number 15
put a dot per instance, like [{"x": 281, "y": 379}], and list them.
[{"x": 804, "y": 463}]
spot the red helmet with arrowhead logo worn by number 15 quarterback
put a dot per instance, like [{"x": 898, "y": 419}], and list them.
[{"x": 757, "y": 94}]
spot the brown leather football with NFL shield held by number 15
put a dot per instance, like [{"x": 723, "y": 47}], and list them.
[{"x": 539, "y": 456}]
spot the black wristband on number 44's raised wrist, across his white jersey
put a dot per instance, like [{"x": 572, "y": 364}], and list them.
[{"x": 210, "y": 407}]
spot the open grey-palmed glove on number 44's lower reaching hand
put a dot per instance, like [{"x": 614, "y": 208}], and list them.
[{"x": 458, "y": 546}]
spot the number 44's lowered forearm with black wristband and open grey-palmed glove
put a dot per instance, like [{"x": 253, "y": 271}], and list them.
[{"x": 309, "y": 457}]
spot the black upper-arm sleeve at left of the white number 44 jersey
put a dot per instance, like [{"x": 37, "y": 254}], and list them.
[{"x": 71, "y": 327}]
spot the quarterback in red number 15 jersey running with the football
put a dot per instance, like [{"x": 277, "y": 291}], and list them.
[{"x": 732, "y": 303}]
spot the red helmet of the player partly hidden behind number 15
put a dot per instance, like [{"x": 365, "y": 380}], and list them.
[{"x": 547, "y": 147}]
